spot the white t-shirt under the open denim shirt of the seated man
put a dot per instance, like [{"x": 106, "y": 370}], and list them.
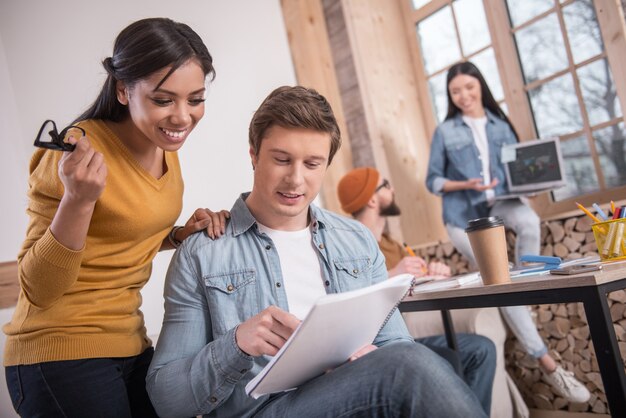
[{"x": 301, "y": 269}]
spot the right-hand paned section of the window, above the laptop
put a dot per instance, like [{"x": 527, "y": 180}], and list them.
[{"x": 571, "y": 91}]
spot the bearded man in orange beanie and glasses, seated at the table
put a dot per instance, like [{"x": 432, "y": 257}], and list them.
[{"x": 370, "y": 200}]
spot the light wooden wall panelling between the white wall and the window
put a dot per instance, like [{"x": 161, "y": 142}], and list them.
[{"x": 378, "y": 96}]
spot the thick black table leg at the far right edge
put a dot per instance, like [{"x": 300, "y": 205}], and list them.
[{"x": 607, "y": 351}]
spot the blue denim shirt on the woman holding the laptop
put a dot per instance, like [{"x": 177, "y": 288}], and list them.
[{"x": 454, "y": 156}]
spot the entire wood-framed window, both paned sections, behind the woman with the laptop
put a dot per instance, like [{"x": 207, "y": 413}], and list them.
[{"x": 549, "y": 67}]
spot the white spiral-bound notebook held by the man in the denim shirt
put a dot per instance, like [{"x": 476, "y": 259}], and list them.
[{"x": 335, "y": 328}]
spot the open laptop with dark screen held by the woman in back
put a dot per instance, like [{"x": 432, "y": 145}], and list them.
[{"x": 532, "y": 167}]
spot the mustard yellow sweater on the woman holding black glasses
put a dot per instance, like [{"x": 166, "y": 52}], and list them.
[{"x": 85, "y": 304}]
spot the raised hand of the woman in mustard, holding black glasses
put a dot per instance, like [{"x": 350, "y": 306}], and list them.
[{"x": 83, "y": 172}]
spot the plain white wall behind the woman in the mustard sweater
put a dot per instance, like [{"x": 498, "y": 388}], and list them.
[{"x": 50, "y": 54}]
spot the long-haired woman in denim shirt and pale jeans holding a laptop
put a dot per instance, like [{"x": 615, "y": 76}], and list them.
[{"x": 465, "y": 168}]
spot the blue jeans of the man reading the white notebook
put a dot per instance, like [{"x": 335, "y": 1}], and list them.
[{"x": 401, "y": 379}]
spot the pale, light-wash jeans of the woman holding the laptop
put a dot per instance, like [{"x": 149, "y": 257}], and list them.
[{"x": 525, "y": 222}]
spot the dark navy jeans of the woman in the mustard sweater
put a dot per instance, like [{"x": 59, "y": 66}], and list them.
[{"x": 100, "y": 387}]
